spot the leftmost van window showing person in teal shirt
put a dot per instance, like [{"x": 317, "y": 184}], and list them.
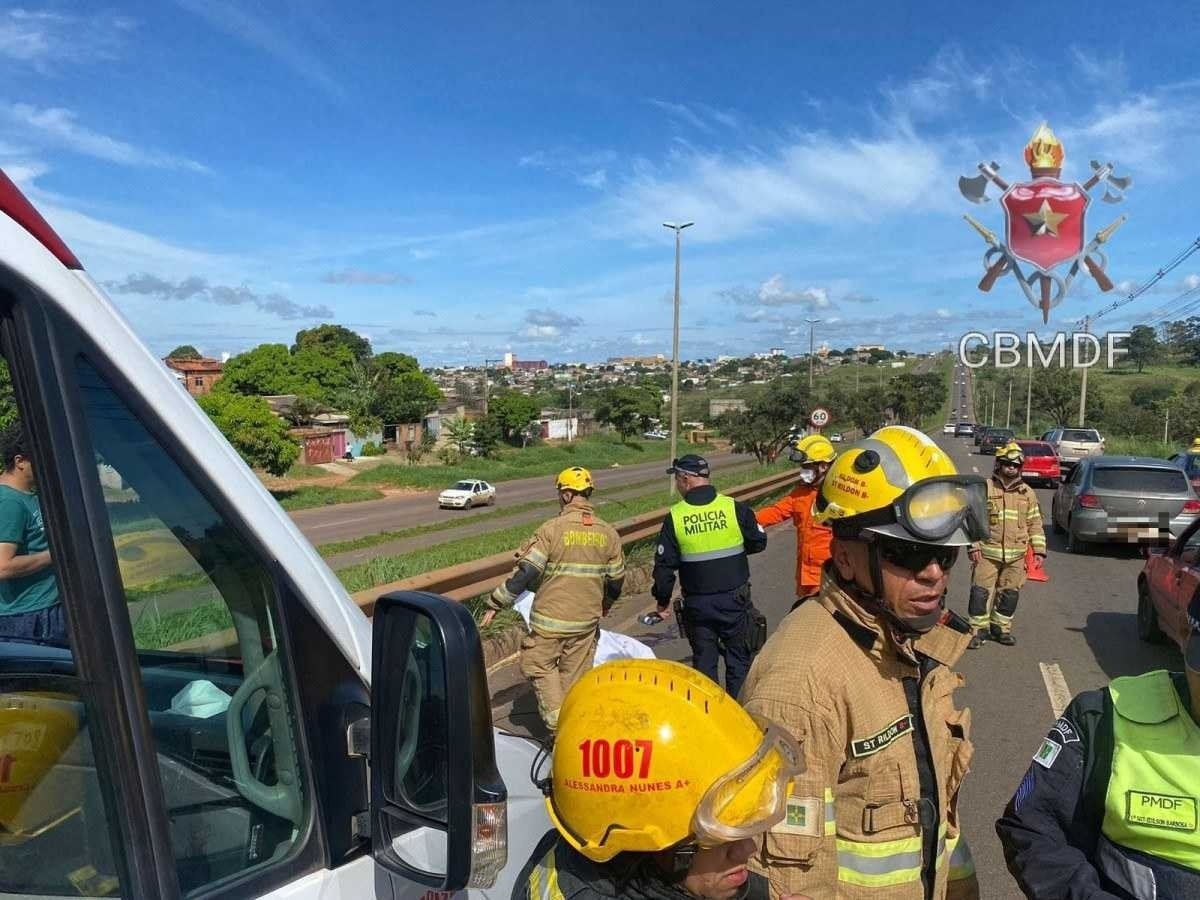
[{"x": 55, "y": 831}]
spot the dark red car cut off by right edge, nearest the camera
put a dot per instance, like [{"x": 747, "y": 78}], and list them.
[{"x": 1166, "y": 587}]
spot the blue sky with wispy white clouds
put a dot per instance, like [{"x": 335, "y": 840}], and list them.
[{"x": 460, "y": 182}]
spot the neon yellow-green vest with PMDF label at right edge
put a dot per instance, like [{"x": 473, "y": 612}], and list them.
[{"x": 1154, "y": 791}]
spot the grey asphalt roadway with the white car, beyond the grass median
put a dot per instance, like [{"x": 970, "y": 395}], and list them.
[{"x": 346, "y": 521}]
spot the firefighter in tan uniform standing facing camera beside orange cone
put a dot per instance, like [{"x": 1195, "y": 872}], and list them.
[{"x": 1015, "y": 524}]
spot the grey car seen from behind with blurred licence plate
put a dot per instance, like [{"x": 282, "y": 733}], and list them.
[{"x": 1124, "y": 500}]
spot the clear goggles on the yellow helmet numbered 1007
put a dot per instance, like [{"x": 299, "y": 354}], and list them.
[{"x": 753, "y": 797}]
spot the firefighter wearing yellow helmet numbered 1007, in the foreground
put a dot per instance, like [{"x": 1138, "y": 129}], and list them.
[{"x": 638, "y": 813}]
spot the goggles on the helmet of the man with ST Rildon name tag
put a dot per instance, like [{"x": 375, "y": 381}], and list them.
[{"x": 935, "y": 508}]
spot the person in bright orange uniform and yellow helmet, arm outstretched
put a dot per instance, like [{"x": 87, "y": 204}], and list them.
[{"x": 814, "y": 541}]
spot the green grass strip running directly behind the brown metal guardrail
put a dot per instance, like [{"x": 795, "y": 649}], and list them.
[{"x": 407, "y": 566}]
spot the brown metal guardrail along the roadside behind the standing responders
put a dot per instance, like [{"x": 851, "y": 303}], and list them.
[{"x": 479, "y": 577}]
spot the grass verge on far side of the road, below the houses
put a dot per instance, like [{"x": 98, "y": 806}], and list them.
[{"x": 598, "y": 453}]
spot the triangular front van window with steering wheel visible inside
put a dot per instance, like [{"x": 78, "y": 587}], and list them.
[{"x": 203, "y": 611}]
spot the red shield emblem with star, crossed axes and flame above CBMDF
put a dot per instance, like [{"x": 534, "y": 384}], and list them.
[{"x": 1045, "y": 225}]
